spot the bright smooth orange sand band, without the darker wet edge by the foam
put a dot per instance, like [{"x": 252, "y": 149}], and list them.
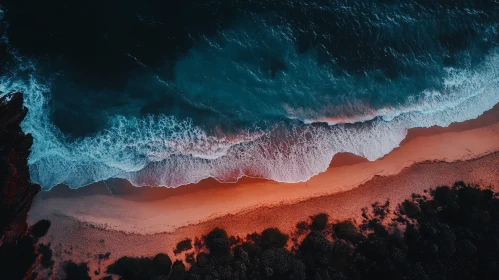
[{"x": 205, "y": 203}]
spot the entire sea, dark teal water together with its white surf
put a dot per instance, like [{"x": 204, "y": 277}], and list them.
[{"x": 169, "y": 93}]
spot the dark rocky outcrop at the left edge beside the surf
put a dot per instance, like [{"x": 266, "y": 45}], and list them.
[{"x": 19, "y": 252}]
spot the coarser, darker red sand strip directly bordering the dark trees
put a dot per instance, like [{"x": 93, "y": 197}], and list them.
[{"x": 83, "y": 242}]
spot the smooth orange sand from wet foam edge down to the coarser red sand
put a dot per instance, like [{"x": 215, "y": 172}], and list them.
[{"x": 158, "y": 210}]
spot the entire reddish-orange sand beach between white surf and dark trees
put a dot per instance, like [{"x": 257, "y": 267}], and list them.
[{"x": 110, "y": 218}]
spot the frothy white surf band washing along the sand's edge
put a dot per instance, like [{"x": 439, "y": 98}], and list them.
[{"x": 169, "y": 152}]
